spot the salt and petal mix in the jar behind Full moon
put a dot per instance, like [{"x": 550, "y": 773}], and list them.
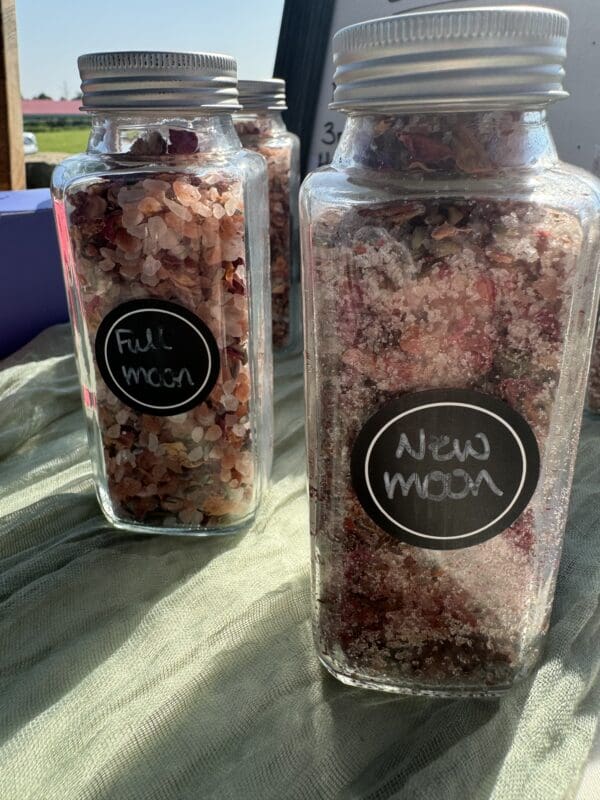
[{"x": 257, "y": 135}]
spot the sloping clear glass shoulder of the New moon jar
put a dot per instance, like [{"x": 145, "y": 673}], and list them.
[{"x": 560, "y": 186}]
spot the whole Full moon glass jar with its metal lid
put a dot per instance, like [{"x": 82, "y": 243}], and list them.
[{"x": 164, "y": 261}]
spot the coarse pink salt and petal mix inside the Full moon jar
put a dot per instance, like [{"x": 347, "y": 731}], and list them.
[{"x": 179, "y": 238}]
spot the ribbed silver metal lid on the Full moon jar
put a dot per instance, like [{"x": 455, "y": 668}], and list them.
[{"x": 150, "y": 81}]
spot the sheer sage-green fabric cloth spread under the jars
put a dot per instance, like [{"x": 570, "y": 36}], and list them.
[{"x": 156, "y": 668}]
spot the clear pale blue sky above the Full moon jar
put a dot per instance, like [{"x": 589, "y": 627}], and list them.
[{"x": 52, "y": 34}]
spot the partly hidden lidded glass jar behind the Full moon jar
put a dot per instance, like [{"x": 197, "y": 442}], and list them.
[{"x": 262, "y": 129}]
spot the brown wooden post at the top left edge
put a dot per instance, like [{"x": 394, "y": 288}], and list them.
[{"x": 12, "y": 159}]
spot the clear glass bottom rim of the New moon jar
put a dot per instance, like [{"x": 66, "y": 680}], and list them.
[{"x": 414, "y": 689}]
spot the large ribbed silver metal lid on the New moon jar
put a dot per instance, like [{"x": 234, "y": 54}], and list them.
[{"x": 475, "y": 58}]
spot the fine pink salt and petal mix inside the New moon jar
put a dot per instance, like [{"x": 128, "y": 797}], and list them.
[{"x": 418, "y": 295}]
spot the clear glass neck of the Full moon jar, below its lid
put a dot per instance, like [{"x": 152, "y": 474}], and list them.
[{"x": 145, "y": 136}]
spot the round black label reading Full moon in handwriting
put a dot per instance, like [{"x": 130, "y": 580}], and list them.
[{"x": 157, "y": 357}]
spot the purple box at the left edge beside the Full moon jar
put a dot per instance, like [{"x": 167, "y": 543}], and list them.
[{"x": 32, "y": 293}]
